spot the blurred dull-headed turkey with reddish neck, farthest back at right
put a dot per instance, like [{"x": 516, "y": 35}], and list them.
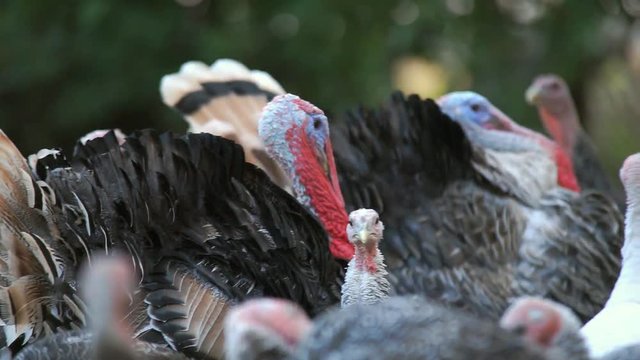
[{"x": 558, "y": 113}]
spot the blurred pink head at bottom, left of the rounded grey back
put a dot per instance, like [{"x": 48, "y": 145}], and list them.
[{"x": 264, "y": 329}]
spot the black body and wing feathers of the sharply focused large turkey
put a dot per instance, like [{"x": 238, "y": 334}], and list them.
[{"x": 198, "y": 224}]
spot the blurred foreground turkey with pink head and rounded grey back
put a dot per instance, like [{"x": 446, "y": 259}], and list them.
[{"x": 397, "y": 328}]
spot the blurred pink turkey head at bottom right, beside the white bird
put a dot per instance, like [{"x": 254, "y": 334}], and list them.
[{"x": 547, "y": 324}]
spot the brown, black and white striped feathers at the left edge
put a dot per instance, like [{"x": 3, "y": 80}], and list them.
[{"x": 32, "y": 262}]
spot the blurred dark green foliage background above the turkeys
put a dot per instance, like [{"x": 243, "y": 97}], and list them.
[{"x": 67, "y": 68}]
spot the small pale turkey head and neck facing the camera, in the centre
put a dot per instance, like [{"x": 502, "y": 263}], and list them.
[{"x": 366, "y": 279}]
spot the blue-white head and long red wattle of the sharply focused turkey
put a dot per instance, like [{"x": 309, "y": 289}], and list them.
[{"x": 296, "y": 134}]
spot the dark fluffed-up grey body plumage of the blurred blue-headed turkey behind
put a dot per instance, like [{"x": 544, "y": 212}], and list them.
[{"x": 462, "y": 230}]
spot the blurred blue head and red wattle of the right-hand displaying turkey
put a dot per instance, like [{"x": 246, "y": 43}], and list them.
[{"x": 467, "y": 106}]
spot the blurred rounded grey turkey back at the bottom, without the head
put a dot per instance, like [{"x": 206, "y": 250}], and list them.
[{"x": 409, "y": 328}]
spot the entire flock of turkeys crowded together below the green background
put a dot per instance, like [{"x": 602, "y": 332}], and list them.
[{"x": 419, "y": 229}]
